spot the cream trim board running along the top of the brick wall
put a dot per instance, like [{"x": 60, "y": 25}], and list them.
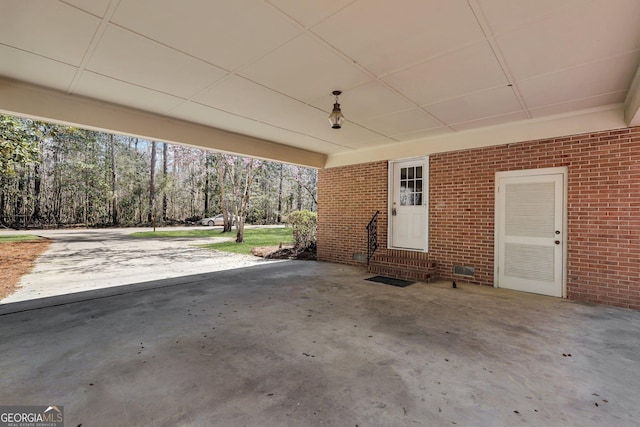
[{"x": 592, "y": 120}]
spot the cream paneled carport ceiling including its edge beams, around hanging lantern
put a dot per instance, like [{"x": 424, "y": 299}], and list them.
[{"x": 417, "y": 76}]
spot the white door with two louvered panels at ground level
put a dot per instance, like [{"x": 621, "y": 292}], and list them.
[{"x": 530, "y": 230}]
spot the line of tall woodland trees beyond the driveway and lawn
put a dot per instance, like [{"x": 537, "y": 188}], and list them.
[{"x": 53, "y": 175}]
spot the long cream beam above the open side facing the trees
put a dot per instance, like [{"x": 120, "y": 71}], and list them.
[{"x": 22, "y": 99}]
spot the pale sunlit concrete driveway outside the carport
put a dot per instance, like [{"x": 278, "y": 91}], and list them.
[{"x": 85, "y": 259}]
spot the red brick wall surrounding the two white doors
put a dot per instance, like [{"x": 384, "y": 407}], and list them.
[{"x": 603, "y": 264}]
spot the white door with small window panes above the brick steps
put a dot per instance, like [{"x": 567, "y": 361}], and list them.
[{"x": 408, "y": 189}]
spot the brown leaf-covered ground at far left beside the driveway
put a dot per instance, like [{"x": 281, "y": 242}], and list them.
[{"x": 16, "y": 260}]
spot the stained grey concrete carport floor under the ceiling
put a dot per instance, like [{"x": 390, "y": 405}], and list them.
[{"x": 314, "y": 344}]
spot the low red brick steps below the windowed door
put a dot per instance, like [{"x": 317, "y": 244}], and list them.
[{"x": 407, "y": 267}]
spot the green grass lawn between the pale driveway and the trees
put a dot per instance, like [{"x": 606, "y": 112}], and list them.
[{"x": 253, "y": 237}]
